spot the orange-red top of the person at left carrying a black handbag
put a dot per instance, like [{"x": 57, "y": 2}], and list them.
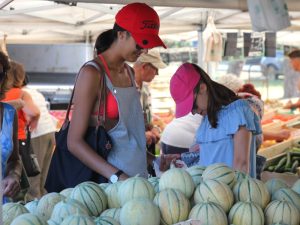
[{"x": 13, "y": 94}]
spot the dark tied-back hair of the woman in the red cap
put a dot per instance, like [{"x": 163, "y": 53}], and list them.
[{"x": 105, "y": 39}]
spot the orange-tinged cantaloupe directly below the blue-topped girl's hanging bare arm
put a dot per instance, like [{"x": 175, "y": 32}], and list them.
[{"x": 253, "y": 190}]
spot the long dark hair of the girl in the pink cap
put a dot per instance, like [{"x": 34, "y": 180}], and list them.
[{"x": 218, "y": 96}]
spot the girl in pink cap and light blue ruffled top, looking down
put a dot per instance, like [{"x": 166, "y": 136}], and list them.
[{"x": 229, "y": 126}]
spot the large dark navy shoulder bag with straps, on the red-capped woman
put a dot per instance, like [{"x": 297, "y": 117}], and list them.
[{"x": 65, "y": 169}]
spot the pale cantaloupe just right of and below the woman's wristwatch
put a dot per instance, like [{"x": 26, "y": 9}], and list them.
[{"x": 135, "y": 187}]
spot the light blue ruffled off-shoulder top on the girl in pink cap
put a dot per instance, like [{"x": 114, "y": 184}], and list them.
[{"x": 216, "y": 144}]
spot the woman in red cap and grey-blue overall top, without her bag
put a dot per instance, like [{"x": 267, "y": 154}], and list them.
[{"x": 135, "y": 31}]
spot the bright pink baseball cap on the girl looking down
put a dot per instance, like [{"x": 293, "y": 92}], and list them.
[{"x": 182, "y": 86}]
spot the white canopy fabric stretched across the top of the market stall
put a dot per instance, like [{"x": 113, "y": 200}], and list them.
[{"x": 39, "y": 21}]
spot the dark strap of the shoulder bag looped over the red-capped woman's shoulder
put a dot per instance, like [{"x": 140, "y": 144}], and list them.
[{"x": 102, "y": 95}]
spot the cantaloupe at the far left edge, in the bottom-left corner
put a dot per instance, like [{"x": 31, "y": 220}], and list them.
[{"x": 12, "y": 210}]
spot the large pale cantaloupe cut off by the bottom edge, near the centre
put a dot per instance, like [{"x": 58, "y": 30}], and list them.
[{"x": 140, "y": 211}]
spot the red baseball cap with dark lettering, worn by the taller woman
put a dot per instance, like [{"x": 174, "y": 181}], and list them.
[{"x": 142, "y": 22}]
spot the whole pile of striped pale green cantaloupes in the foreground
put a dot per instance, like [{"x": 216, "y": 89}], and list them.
[{"x": 215, "y": 195}]
